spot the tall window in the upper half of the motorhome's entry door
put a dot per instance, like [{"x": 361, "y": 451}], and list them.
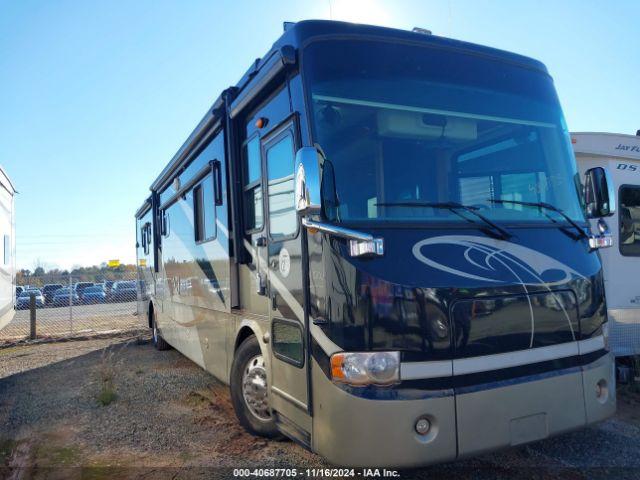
[{"x": 283, "y": 221}]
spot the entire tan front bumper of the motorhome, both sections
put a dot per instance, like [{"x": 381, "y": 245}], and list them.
[{"x": 353, "y": 431}]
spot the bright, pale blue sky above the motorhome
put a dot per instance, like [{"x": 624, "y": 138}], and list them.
[{"x": 96, "y": 96}]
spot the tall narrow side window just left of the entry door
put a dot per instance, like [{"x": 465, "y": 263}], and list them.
[{"x": 253, "y": 215}]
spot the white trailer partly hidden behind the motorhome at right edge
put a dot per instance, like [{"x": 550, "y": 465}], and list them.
[{"x": 621, "y": 155}]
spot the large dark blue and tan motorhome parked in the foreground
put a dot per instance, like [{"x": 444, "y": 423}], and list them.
[{"x": 379, "y": 240}]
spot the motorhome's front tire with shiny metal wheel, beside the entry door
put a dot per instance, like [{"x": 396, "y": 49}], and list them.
[{"x": 249, "y": 390}]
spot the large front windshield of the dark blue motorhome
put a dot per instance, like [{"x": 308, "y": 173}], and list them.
[{"x": 406, "y": 128}]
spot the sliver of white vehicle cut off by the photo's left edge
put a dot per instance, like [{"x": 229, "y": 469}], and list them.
[{"x": 7, "y": 266}]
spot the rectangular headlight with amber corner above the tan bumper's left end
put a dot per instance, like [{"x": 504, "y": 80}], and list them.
[{"x": 366, "y": 368}]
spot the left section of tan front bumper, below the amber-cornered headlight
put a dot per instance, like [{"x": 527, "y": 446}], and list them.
[{"x": 353, "y": 431}]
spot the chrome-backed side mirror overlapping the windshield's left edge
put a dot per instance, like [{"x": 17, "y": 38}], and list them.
[{"x": 307, "y": 189}]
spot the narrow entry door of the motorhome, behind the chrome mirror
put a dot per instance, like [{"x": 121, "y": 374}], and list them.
[{"x": 289, "y": 373}]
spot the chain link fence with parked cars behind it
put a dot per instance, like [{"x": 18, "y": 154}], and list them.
[{"x": 69, "y": 305}]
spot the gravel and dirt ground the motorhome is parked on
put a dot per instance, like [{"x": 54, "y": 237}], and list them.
[{"x": 119, "y": 409}]
